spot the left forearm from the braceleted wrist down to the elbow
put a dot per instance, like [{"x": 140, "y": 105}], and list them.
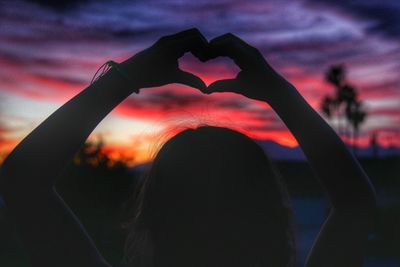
[{"x": 39, "y": 158}]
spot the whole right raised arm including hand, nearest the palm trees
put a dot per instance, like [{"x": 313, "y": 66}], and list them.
[{"x": 342, "y": 238}]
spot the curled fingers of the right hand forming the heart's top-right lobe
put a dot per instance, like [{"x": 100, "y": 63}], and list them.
[{"x": 232, "y": 46}]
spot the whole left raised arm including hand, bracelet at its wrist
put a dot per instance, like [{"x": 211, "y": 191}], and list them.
[{"x": 51, "y": 234}]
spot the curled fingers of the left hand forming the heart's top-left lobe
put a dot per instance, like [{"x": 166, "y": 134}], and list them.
[{"x": 191, "y": 40}]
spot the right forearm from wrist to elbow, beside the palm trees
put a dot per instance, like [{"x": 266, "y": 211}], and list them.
[{"x": 336, "y": 168}]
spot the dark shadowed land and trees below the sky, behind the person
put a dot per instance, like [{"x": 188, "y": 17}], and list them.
[{"x": 99, "y": 195}]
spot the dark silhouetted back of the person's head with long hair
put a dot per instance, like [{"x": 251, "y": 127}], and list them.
[{"x": 211, "y": 198}]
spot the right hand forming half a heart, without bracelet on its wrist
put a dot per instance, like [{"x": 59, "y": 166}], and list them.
[{"x": 256, "y": 80}]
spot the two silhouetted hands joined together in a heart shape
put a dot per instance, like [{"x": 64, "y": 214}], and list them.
[{"x": 158, "y": 64}]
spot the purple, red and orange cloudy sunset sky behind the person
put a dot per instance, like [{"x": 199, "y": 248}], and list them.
[{"x": 50, "y": 50}]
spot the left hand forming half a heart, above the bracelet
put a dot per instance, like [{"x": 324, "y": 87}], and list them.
[{"x": 158, "y": 64}]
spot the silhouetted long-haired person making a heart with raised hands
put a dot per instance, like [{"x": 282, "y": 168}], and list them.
[{"x": 211, "y": 197}]
